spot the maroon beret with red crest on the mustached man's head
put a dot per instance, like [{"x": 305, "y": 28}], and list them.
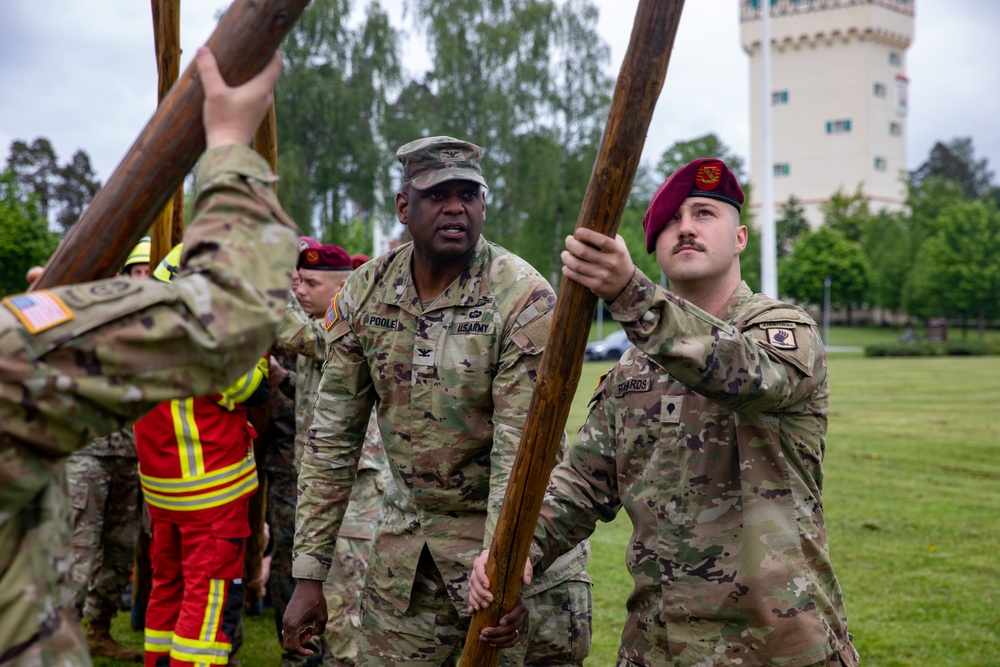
[{"x": 704, "y": 177}]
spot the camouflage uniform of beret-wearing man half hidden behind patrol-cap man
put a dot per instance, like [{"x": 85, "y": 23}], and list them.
[{"x": 305, "y": 336}]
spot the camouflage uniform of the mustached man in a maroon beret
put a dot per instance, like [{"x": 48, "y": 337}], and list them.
[{"x": 710, "y": 434}]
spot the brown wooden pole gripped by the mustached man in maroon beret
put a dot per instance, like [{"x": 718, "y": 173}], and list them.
[{"x": 639, "y": 83}]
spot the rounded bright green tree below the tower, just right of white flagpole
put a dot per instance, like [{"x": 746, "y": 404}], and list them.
[{"x": 819, "y": 254}]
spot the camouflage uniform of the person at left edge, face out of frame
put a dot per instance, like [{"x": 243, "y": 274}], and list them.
[{"x": 130, "y": 345}]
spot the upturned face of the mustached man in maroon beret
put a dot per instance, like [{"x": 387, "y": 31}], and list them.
[{"x": 701, "y": 243}]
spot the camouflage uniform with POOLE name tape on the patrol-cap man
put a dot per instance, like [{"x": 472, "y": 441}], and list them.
[{"x": 451, "y": 381}]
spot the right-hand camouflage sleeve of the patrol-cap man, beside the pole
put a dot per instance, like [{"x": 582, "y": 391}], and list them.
[{"x": 512, "y": 388}]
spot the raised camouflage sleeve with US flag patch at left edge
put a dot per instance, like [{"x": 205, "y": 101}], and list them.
[{"x": 132, "y": 344}]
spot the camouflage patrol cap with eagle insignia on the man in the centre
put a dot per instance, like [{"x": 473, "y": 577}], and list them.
[{"x": 433, "y": 160}]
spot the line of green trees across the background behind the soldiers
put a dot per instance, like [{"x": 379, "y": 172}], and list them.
[{"x": 526, "y": 79}]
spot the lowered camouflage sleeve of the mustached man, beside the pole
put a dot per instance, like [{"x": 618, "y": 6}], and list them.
[{"x": 583, "y": 488}]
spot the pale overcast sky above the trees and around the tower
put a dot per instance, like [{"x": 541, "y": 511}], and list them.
[{"x": 82, "y": 73}]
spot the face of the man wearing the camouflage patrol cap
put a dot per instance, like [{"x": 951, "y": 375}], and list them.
[{"x": 445, "y": 220}]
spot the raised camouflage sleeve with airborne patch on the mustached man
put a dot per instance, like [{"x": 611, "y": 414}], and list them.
[{"x": 736, "y": 368}]
